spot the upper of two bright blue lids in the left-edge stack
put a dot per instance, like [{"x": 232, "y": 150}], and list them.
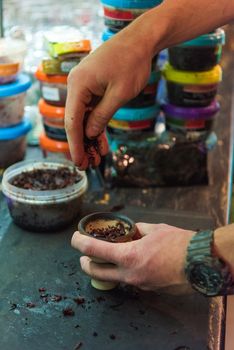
[{"x": 22, "y": 84}]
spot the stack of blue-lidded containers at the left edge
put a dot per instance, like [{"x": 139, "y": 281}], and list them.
[{"x": 13, "y": 86}]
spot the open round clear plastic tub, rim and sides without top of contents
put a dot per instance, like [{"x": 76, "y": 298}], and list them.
[{"x": 43, "y": 210}]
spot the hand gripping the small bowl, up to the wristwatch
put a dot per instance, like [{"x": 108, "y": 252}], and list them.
[{"x": 152, "y": 262}]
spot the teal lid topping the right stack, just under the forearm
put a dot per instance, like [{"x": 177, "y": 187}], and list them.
[{"x": 211, "y": 39}]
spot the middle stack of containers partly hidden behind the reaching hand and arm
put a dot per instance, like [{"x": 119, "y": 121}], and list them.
[{"x": 137, "y": 118}]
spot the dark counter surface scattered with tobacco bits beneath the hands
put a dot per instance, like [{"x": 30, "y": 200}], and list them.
[{"x": 47, "y": 302}]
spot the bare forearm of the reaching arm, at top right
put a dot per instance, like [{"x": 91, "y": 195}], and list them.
[{"x": 176, "y": 21}]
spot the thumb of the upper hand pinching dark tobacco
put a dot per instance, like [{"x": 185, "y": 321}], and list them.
[{"x": 101, "y": 114}]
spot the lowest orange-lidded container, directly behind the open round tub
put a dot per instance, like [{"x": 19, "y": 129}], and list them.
[{"x": 53, "y": 148}]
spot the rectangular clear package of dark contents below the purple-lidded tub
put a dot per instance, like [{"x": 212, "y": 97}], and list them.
[{"x": 148, "y": 160}]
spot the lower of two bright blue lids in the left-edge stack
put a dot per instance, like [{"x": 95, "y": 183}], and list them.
[{"x": 13, "y": 132}]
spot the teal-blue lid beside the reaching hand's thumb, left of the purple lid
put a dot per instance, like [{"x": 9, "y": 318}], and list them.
[{"x": 136, "y": 114}]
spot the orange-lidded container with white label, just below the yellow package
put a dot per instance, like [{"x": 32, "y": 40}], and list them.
[{"x": 53, "y": 88}]
